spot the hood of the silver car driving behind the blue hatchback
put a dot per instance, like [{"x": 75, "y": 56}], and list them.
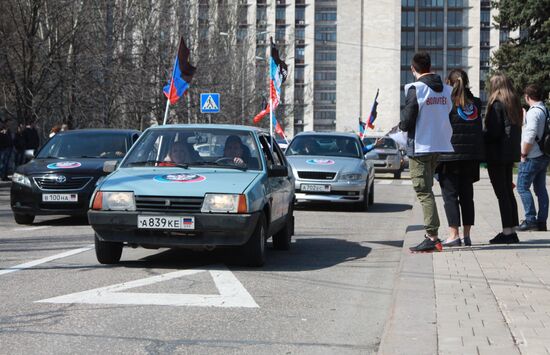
[{"x": 323, "y": 163}]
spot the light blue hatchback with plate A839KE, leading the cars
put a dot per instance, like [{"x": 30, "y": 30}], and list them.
[{"x": 168, "y": 193}]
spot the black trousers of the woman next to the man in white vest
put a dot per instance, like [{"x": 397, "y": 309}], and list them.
[{"x": 456, "y": 180}]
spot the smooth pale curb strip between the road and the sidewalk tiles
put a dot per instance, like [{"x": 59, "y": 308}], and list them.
[{"x": 411, "y": 324}]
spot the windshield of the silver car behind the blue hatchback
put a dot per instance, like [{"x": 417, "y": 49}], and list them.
[{"x": 338, "y": 146}]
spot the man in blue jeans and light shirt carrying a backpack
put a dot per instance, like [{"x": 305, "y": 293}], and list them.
[{"x": 534, "y": 162}]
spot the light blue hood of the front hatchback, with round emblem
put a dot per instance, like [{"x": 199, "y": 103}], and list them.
[{"x": 178, "y": 182}]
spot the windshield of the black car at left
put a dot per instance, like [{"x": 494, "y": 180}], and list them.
[{"x": 106, "y": 145}]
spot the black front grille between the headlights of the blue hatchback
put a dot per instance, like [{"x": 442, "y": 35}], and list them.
[{"x": 166, "y": 203}]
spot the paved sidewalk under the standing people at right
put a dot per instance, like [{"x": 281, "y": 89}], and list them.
[{"x": 487, "y": 299}]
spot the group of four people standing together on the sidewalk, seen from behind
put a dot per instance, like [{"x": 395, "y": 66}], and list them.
[{"x": 448, "y": 140}]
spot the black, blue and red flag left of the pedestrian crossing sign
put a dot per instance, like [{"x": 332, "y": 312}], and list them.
[{"x": 181, "y": 75}]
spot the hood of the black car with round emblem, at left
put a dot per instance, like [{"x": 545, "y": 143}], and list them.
[{"x": 82, "y": 166}]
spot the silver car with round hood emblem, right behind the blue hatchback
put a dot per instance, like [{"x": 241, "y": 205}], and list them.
[{"x": 331, "y": 167}]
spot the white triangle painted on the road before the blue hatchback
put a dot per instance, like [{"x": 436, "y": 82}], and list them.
[{"x": 231, "y": 292}]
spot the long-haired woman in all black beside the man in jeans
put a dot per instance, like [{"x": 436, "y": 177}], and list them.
[{"x": 502, "y": 136}]
